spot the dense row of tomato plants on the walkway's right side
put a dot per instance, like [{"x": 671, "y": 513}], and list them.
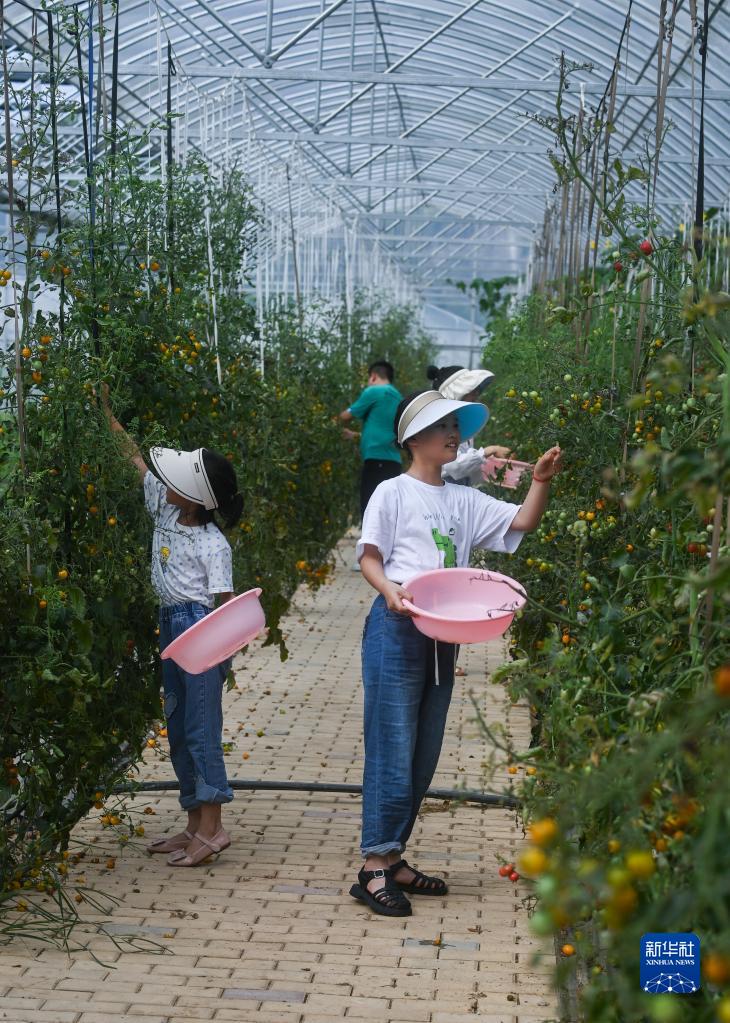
[{"x": 623, "y": 651}]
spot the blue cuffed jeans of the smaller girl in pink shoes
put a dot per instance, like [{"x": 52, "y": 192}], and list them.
[{"x": 194, "y": 709}]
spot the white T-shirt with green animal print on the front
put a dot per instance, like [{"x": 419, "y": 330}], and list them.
[{"x": 419, "y": 527}]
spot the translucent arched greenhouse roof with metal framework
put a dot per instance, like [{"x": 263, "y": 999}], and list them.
[{"x": 409, "y": 123}]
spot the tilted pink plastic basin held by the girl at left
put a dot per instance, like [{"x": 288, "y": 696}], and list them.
[{"x": 220, "y": 635}]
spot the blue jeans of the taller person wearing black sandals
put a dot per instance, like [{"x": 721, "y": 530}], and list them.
[{"x": 405, "y": 720}]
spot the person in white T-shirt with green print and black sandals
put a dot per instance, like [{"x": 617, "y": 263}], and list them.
[{"x": 417, "y": 523}]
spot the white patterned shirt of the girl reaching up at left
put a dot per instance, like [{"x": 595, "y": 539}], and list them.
[{"x": 190, "y": 563}]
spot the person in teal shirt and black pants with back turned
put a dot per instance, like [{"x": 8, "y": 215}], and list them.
[{"x": 377, "y": 408}]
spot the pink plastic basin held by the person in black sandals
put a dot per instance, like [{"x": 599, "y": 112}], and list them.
[{"x": 465, "y": 606}]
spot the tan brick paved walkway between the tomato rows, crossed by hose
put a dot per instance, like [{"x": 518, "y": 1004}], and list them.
[{"x": 268, "y": 932}]
